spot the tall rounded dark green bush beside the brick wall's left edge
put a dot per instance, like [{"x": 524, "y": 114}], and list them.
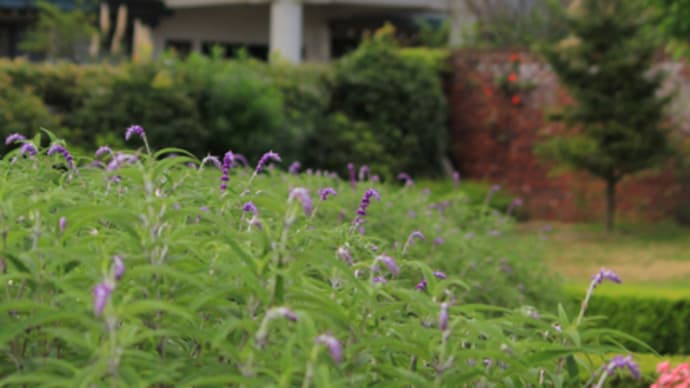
[{"x": 401, "y": 101}]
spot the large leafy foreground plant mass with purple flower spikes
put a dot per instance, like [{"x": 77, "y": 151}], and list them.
[{"x": 145, "y": 273}]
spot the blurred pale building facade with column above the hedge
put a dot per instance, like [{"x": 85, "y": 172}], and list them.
[{"x": 296, "y": 30}]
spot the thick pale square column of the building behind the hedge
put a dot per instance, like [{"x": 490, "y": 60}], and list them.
[{"x": 286, "y": 29}]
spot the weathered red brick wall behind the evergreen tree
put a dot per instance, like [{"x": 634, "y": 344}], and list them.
[{"x": 493, "y": 140}]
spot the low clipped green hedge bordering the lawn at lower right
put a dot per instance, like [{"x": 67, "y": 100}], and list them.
[{"x": 662, "y": 323}]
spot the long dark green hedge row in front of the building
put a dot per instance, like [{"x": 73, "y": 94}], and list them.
[{"x": 323, "y": 116}]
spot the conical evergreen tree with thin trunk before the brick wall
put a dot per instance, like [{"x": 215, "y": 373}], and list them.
[{"x": 616, "y": 120}]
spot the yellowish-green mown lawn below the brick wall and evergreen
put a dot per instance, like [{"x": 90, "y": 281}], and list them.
[{"x": 652, "y": 256}]
